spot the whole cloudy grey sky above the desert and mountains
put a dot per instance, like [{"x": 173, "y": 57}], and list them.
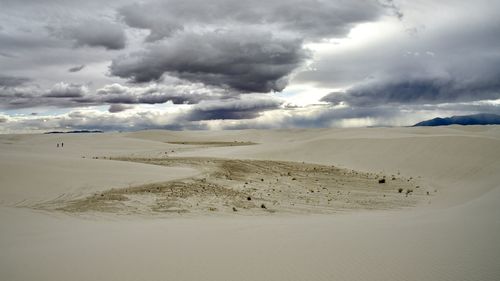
[{"x": 121, "y": 65}]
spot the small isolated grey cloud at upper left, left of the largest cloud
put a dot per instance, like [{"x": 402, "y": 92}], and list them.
[{"x": 94, "y": 33}]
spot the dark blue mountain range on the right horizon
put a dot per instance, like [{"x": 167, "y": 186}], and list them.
[{"x": 475, "y": 119}]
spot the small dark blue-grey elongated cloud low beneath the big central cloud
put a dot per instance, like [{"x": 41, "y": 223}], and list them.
[{"x": 233, "y": 109}]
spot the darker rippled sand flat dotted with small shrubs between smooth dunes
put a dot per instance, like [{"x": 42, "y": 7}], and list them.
[{"x": 249, "y": 187}]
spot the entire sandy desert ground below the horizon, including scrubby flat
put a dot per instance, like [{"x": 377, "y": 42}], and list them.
[{"x": 252, "y": 205}]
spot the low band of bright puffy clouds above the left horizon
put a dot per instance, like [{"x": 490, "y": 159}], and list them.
[{"x": 65, "y": 95}]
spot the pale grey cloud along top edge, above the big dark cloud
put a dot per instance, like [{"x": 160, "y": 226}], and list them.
[{"x": 310, "y": 18}]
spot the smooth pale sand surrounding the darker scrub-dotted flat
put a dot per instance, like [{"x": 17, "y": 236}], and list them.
[{"x": 453, "y": 235}]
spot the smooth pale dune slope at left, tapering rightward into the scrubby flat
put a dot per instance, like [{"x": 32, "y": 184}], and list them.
[{"x": 33, "y": 169}]
